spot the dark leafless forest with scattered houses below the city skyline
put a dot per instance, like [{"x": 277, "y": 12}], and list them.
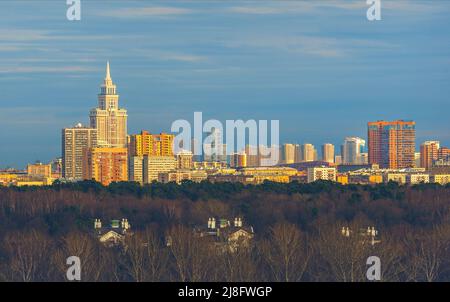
[{"x": 297, "y": 231}]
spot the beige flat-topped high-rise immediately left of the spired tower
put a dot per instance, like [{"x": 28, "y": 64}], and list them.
[{"x": 75, "y": 141}]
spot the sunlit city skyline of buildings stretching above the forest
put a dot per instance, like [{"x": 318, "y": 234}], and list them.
[{"x": 105, "y": 152}]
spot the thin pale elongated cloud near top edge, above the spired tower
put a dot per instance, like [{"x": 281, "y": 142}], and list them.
[{"x": 140, "y": 12}]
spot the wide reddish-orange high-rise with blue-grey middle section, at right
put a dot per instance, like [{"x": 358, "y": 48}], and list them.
[{"x": 392, "y": 144}]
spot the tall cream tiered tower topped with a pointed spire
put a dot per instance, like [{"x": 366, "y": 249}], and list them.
[{"x": 109, "y": 120}]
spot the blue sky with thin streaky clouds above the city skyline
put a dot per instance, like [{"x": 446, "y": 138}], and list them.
[{"x": 319, "y": 67}]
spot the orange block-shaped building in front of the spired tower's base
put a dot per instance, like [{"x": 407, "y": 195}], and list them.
[{"x": 106, "y": 165}]
